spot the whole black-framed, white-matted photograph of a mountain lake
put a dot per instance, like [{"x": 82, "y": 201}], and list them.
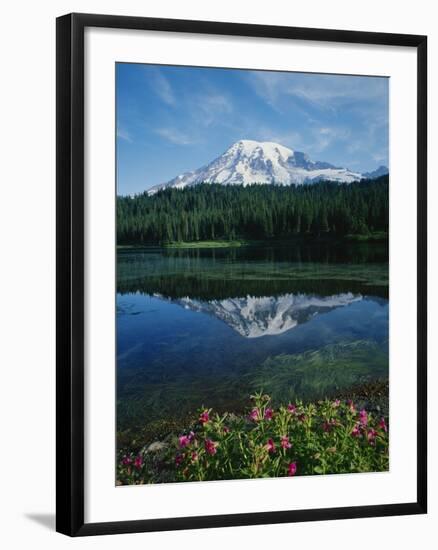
[{"x": 241, "y": 274}]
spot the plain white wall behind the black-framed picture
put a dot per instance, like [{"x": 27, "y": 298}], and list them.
[{"x": 27, "y": 303}]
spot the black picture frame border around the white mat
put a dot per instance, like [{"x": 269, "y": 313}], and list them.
[{"x": 70, "y": 273}]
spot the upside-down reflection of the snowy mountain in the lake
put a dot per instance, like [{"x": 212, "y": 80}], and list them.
[{"x": 253, "y": 317}]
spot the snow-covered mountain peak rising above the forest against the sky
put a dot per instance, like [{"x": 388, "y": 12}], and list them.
[{"x": 248, "y": 162}]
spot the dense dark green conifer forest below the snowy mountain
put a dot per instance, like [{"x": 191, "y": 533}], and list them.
[{"x": 213, "y": 211}]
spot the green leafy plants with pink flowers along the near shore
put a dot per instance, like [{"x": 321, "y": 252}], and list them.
[{"x": 326, "y": 437}]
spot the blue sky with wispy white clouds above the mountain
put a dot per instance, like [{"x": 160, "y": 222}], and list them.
[{"x": 174, "y": 119}]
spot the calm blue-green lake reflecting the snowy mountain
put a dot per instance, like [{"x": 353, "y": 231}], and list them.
[{"x": 208, "y": 327}]
